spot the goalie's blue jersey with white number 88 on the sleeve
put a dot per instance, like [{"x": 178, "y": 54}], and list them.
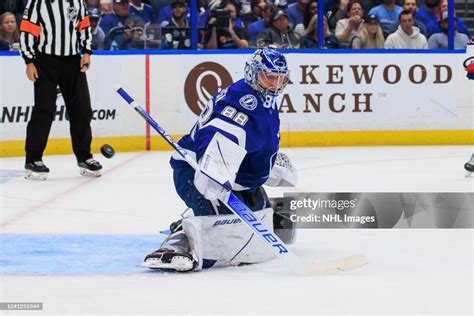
[{"x": 238, "y": 113}]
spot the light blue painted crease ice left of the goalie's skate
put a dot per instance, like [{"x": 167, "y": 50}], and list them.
[{"x": 75, "y": 254}]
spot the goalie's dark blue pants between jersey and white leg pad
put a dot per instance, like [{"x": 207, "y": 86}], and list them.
[{"x": 184, "y": 184}]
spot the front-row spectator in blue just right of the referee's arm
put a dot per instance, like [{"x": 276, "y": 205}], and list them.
[{"x": 128, "y": 36}]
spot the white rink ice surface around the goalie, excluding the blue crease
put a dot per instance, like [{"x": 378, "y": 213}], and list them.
[{"x": 410, "y": 271}]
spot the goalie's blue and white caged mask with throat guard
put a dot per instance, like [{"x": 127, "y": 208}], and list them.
[{"x": 267, "y": 73}]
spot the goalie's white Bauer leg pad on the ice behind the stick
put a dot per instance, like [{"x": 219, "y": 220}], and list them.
[{"x": 223, "y": 240}]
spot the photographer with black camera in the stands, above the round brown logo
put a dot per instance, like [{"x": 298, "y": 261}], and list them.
[{"x": 228, "y": 36}]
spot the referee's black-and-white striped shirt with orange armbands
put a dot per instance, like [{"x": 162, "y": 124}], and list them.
[{"x": 55, "y": 27}]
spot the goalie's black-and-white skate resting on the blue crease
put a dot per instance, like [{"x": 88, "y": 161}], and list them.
[{"x": 169, "y": 259}]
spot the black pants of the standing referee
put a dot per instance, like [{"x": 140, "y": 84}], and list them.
[{"x": 54, "y": 71}]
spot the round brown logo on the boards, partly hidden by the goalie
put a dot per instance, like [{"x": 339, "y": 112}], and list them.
[{"x": 204, "y": 81}]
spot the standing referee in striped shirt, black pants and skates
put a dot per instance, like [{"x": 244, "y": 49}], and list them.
[{"x": 53, "y": 33}]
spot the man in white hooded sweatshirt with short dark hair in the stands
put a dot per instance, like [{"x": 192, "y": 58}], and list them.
[{"x": 407, "y": 35}]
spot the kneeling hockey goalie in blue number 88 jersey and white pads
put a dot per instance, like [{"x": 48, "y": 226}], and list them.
[{"x": 235, "y": 141}]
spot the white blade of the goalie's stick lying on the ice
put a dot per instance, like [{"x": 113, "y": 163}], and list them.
[{"x": 336, "y": 265}]
